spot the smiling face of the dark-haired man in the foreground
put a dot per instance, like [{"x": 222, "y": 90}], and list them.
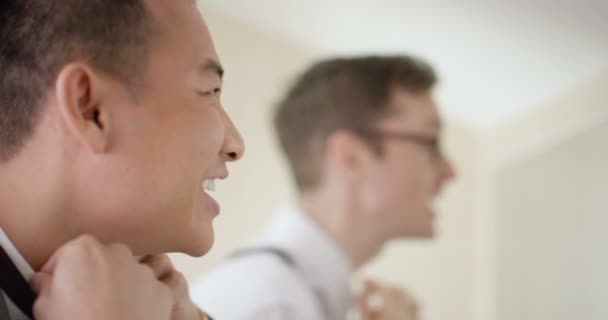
[{"x": 177, "y": 139}]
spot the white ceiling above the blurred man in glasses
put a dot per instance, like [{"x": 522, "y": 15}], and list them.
[{"x": 496, "y": 59}]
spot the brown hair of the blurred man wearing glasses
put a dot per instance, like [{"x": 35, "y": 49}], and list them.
[{"x": 336, "y": 94}]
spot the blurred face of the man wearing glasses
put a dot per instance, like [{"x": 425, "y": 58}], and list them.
[{"x": 408, "y": 175}]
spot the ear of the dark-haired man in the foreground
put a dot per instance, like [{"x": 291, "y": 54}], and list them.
[{"x": 79, "y": 91}]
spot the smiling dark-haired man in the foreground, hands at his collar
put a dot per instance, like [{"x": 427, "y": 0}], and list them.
[{"x": 111, "y": 132}]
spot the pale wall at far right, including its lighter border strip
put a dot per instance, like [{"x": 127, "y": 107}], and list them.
[{"x": 538, "y": 174}]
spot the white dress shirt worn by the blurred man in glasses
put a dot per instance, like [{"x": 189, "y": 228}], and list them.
[{"x": 262, "y": 286}]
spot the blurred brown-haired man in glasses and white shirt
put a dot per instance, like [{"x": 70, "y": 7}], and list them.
[{"x": 361, "y": 136}]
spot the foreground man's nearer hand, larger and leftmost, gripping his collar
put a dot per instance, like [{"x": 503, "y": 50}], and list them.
[{"x": 85, "y": 279}]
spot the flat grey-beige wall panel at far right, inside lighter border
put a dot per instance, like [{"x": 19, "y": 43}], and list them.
[{"x": 551, "y": 237}]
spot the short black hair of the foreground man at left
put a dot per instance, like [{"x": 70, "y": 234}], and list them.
[{"x": 39, "y": 37}]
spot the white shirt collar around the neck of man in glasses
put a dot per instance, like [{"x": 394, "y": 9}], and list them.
[{"x": 319, "y": 258}]
